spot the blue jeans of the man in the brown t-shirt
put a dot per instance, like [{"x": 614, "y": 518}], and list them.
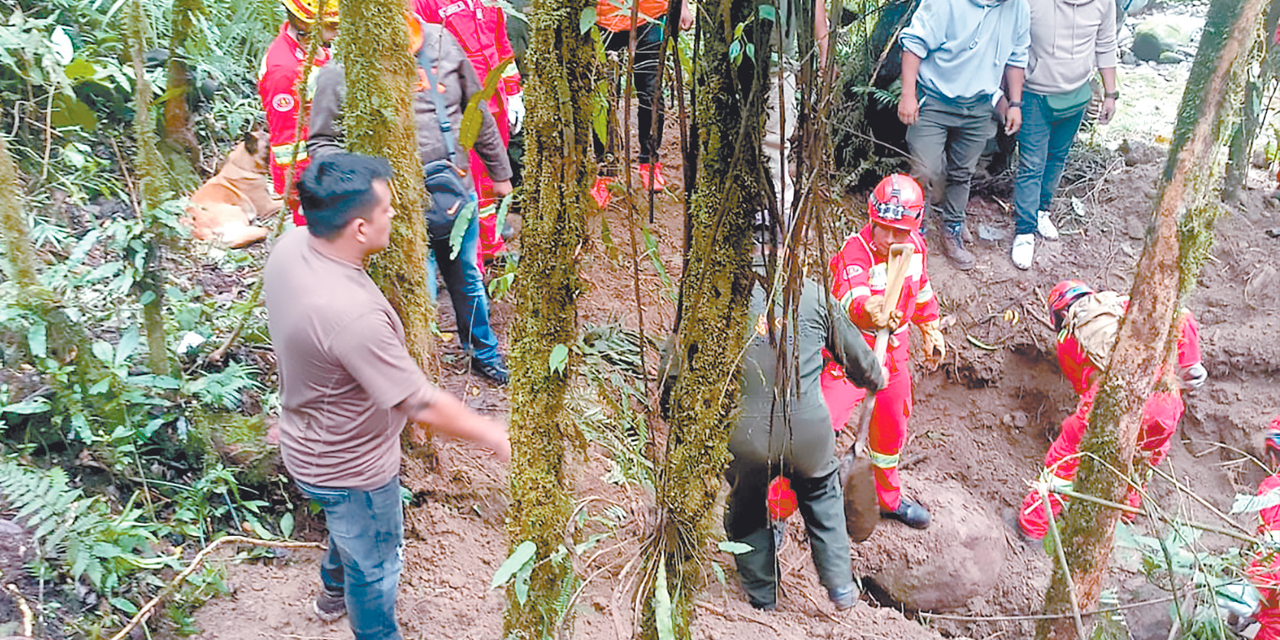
[{"x": 367, "y": 534}]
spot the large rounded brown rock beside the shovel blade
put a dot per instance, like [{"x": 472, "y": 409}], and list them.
[{"x": 959, "y": 557}]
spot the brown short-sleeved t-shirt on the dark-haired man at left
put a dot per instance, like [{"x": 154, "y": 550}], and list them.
[{"x": 344, "y": 365}]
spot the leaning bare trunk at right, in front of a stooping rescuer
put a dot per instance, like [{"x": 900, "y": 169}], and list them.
[{"x": 1167, "y": 269}]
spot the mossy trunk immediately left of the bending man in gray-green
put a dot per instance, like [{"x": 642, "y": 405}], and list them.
[{"x": 730, "y": 186}]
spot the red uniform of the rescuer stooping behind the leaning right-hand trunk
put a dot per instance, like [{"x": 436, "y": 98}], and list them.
[{"x": 1160, "y": 418}]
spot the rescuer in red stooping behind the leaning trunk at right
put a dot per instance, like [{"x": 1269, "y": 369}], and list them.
[{"x": 1087, "y": 323}]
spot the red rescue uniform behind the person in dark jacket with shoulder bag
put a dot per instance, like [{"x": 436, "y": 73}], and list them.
[{"x": 482, "y": 30}]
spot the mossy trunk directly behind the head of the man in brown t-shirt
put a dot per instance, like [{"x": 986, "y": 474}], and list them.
[{"x": 380, "y": 121}]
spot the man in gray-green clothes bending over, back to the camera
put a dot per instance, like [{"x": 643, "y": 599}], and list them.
[{"x": 784, "y": 431}]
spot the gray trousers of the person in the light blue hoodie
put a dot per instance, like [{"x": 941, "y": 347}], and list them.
[{"x": 947, "y": 144}]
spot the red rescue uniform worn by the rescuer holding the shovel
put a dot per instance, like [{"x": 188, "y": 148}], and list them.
[{"x": 858, "y": 275}]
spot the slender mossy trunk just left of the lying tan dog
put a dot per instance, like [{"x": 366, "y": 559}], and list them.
[{"x": 153, "y": 191}]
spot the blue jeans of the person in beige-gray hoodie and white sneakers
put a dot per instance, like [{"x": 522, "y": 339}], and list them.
[{"x": 1043, "y": 147}]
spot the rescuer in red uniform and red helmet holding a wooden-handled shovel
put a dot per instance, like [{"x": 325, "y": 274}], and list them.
[{"x": 858, "y": 276}]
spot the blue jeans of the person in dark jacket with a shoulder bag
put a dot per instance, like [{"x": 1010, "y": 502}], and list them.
[{"x": 467, "y": 290}]
